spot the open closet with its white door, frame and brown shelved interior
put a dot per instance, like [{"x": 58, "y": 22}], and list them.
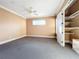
[{"x": 67, "y": 23}]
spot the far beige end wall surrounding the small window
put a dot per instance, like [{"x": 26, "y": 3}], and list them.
[{"x": 45, "y": 30}]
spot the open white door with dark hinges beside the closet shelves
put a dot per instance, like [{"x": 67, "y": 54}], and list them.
[{"x": 60, "y": 28}]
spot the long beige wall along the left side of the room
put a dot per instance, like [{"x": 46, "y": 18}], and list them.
[{"x": 11, "y": 26}]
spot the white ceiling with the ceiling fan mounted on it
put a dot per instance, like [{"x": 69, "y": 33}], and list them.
[{"x": 40, "y": 8}]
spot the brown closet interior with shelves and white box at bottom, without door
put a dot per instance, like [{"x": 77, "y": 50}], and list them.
[{"x": 72, "y": 25}]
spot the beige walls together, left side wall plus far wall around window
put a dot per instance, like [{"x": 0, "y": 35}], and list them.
[{"x": 12, "y": 26}]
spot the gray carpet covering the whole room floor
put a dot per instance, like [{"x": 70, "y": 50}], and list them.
[{"x": 36, "y": 48}]
